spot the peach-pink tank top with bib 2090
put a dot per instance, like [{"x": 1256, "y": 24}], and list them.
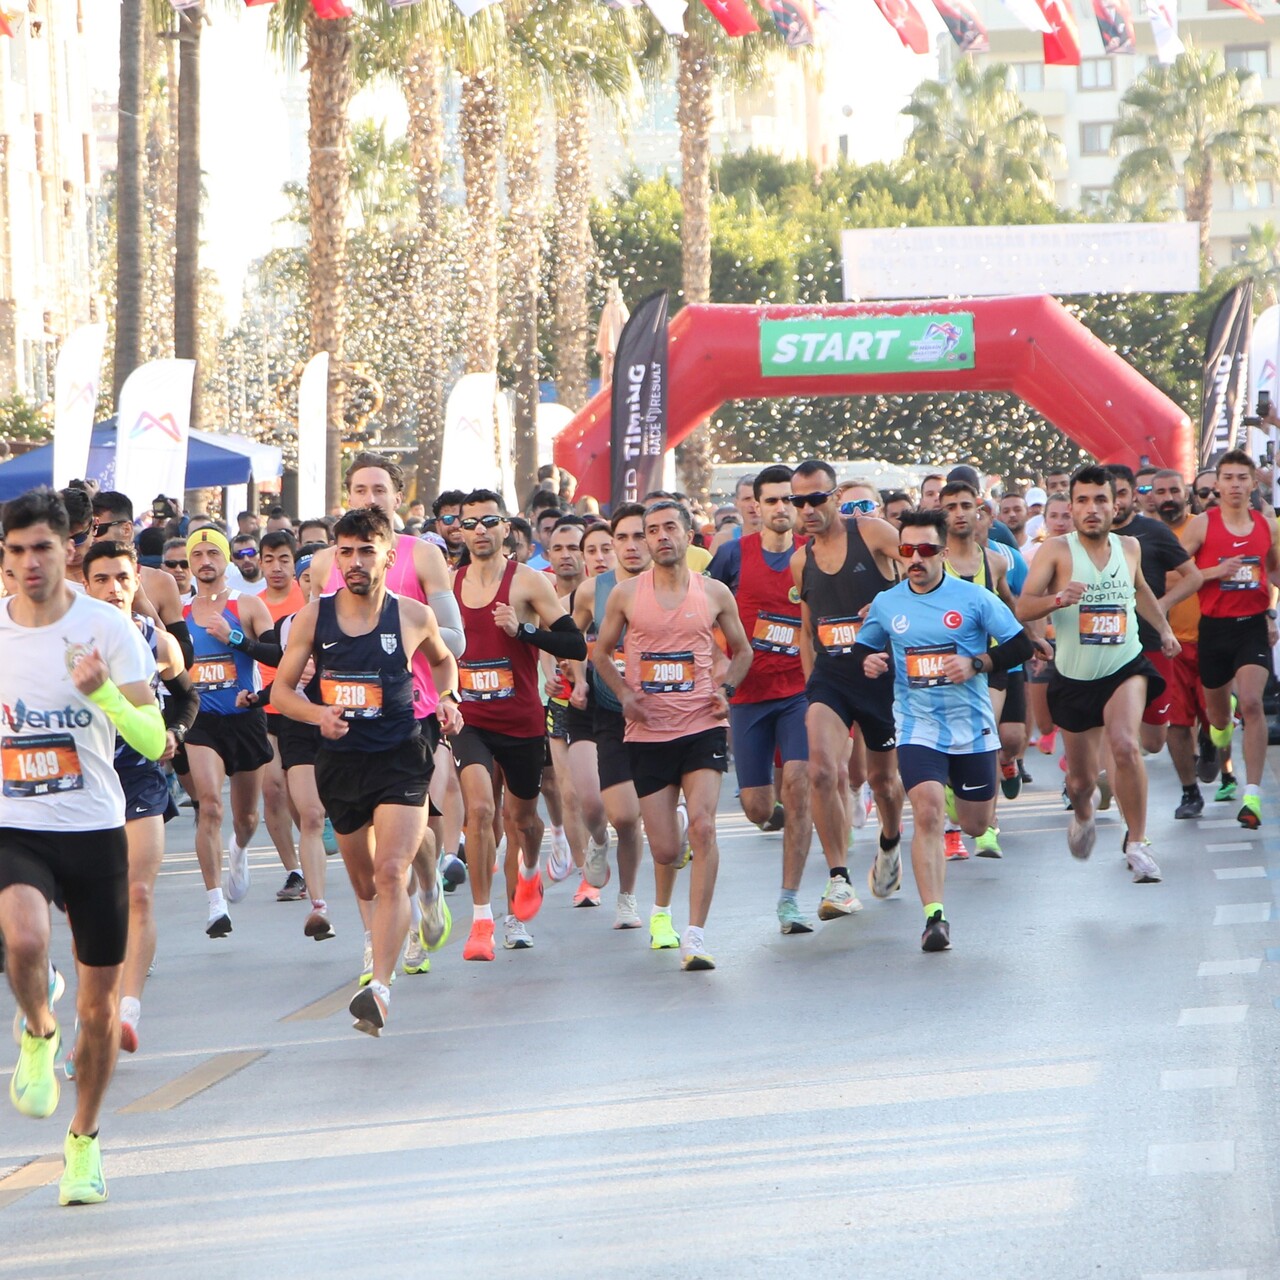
[{"x": 670, "y": 660}]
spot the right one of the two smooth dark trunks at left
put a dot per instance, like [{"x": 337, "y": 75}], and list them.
[{"x": 186, "y": 271}]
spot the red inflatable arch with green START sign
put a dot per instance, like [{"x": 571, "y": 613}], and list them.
[{"x": 1030, "y": 346}]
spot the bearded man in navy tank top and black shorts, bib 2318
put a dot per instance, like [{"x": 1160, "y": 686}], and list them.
[{"x": 374, "y": 765}]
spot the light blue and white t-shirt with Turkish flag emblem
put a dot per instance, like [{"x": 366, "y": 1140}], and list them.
[{"x": 918, "y": 629}]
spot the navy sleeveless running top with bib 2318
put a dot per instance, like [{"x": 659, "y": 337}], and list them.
[{"x": 368, "y": 676}]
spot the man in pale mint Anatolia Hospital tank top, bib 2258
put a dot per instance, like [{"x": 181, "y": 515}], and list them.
[{"x": 1092, "y": 584}]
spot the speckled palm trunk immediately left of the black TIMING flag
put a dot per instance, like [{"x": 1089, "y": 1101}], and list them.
[{"x": 574, "y": 248}]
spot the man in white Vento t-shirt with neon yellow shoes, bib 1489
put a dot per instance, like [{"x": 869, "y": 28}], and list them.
[{"x": 75, "y": 674}]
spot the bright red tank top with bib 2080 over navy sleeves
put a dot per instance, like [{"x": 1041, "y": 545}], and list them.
[{"x": 772, "y": 623}]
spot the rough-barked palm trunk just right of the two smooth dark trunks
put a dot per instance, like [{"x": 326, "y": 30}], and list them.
[{"x": 328, "y": 98}]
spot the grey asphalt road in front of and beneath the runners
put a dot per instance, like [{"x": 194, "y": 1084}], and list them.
[{"x": 1084, "y": 1087}]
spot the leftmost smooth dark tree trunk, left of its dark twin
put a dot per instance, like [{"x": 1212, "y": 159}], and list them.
[{"x": 129, "y": 200}]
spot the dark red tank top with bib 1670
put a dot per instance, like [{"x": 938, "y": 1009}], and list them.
[{"x": 499, "y": 674}]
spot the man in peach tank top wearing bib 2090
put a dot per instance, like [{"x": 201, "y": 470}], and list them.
[{"x": 675, "y": 732}]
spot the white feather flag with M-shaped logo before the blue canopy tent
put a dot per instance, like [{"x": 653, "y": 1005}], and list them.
[{"x": 153, "y": 426}]
